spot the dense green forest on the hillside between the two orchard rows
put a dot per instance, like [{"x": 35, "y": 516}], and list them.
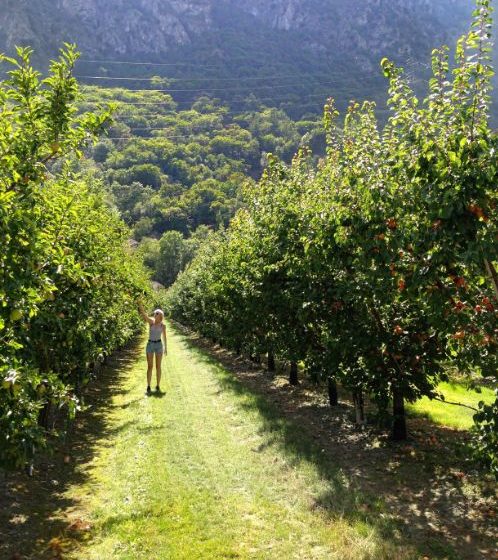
[{"x": 176, "y": 173}]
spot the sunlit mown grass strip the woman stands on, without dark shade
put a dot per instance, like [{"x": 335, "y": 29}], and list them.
[{"x": 197, "y": 474}]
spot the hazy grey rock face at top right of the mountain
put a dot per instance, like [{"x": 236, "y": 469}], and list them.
[{"x": 369, "y": 28}]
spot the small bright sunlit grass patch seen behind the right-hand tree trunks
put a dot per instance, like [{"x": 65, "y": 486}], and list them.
[{"x": 448, "y": 414}]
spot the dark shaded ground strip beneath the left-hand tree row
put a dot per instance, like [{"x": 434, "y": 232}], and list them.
[{"x": 29, "y": 525}]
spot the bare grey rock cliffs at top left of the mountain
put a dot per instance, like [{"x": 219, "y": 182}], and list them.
[{"x": 104, "y": 27}]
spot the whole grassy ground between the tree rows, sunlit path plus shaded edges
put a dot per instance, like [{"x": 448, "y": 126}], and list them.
[{"x": 231, "y": 462}]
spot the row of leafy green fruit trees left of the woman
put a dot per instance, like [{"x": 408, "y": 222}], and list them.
[{"x": 67, "y": 277}]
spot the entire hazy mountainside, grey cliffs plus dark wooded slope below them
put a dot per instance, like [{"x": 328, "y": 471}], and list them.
[{"x": 344, "y": 39}]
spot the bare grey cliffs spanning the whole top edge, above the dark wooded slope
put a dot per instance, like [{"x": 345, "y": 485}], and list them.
[{"x": 131, "y": 27}]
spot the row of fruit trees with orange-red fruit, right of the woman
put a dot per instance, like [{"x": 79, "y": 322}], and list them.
[{"x": 375, "y": 266}]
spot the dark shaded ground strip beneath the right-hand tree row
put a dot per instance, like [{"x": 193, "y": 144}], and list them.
[{"x": 410, "y": 494}]
